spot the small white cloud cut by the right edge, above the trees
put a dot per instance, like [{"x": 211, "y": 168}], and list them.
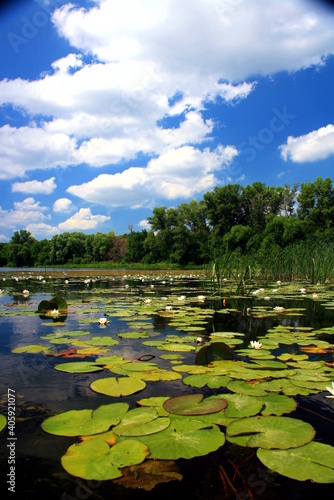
[{"x": 314, "y": 146}]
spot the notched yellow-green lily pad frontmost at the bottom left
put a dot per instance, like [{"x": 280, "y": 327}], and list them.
[{"x": 95, "y": 460}]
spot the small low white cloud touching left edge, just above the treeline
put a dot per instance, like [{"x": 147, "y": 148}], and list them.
[{"x": 25, "y": 212}]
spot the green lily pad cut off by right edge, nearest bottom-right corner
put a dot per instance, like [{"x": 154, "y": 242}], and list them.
[{"x": 314, "y": 461}]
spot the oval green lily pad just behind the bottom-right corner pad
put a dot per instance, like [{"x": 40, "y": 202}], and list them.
[{"x": 270, "y": 432}]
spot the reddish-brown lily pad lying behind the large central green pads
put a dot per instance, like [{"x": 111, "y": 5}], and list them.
[{"x": 193, "y": 404}]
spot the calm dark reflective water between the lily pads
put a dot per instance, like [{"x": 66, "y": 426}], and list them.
[{"x": 41, "y": 391}]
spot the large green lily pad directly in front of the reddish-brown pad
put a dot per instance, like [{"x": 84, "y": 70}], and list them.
[{"x": 184, "y": 438}]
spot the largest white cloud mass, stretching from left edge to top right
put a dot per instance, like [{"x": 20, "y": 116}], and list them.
[{"x": 141, "y": 54}]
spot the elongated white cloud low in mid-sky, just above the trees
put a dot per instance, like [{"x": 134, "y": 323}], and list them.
[{"x": 177, "y": 172}]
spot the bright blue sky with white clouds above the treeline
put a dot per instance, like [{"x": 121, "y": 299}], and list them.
[{"x": 110, "y": 108}]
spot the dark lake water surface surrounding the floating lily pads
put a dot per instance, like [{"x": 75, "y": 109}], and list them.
[{"x": 40, "y": 390}]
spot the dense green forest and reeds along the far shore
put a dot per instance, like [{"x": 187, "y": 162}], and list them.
[{"x": 272, "y": 227}]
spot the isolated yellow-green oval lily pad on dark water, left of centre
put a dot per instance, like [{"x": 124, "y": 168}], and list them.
[{"x": 123, "y": 386}]
